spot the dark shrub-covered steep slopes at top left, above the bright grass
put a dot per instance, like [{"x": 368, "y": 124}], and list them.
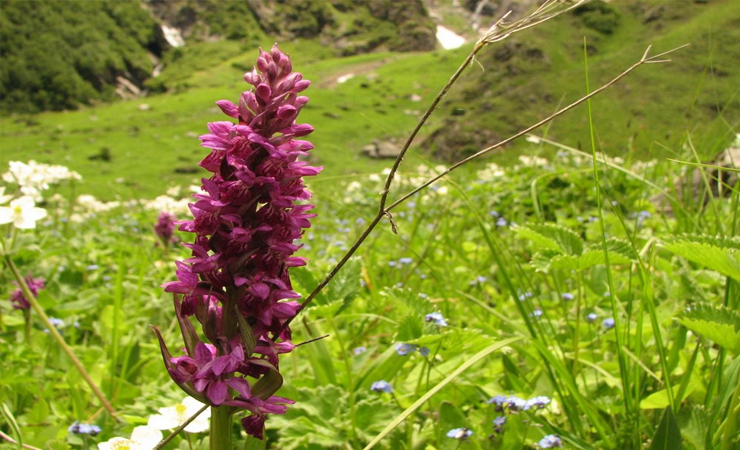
[{"x": 62, "y": 54}]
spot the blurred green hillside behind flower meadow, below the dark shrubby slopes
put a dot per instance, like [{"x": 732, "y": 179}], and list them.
[{"x": 152, "y": 142}]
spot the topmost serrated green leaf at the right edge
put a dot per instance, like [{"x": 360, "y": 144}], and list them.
[{"x": 719, "y": 254}]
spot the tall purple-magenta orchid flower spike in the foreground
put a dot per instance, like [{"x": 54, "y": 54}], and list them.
[{"x": 246, "y": 222}]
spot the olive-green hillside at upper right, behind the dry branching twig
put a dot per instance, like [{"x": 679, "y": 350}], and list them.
[{"x": 526, "y": 78}]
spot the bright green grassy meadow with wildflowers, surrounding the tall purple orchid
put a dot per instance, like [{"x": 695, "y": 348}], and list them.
[{"x": 578, "y": 290}]
